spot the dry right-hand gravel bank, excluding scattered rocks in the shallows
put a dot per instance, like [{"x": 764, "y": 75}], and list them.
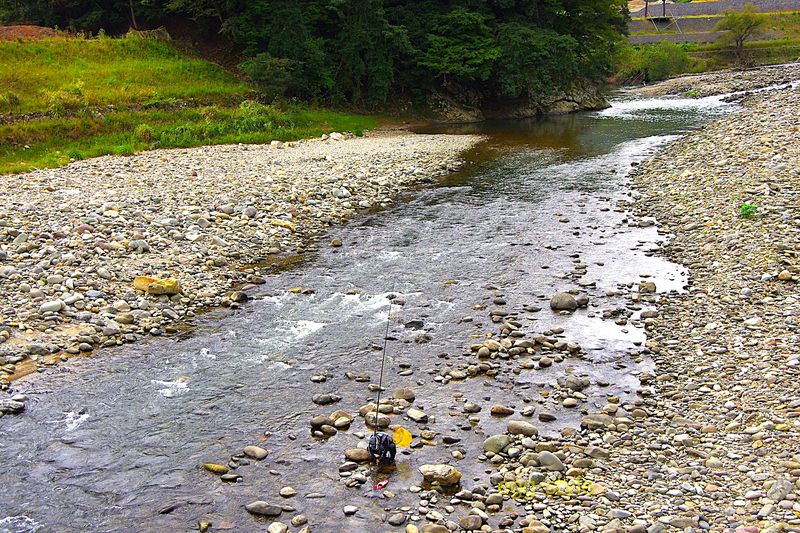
[{"x": 711, "y": 442}]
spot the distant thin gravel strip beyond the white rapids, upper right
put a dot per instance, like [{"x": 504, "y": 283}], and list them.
[{"x": 714, "y": 83}]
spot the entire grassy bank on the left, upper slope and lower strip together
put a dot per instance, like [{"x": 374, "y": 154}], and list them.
[{"x": 72, "y": 98}]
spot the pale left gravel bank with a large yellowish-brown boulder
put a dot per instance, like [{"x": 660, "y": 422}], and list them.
[{"x": 110, "y": 250}]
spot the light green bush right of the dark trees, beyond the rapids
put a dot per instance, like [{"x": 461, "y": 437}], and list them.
[{"x": 651, "y": 62}]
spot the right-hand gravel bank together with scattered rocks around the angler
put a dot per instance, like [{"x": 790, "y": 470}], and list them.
[{"x": 710, "y": 440}]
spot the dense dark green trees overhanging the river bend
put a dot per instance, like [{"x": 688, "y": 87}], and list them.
[{"x": 363, "y": 51}]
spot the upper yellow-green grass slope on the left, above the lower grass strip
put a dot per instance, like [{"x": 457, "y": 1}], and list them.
[{"x": 122, "y": 72}]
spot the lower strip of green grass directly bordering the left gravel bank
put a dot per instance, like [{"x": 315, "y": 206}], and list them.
[{"x": 53, "y": 141}]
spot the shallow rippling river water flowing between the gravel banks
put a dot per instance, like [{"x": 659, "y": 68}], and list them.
[{"x": 108, "y": 442}]
